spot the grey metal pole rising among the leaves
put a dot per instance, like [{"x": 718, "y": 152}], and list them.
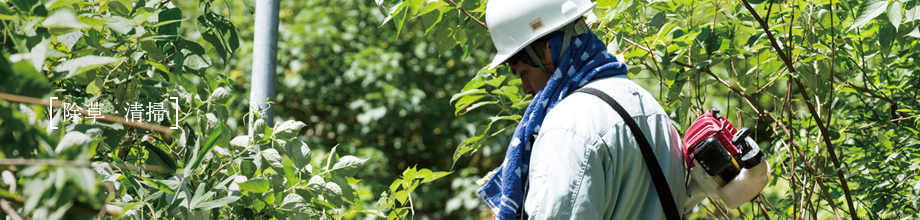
[{"x": 265, "y": 54}]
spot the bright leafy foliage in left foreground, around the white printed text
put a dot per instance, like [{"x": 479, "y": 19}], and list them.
[{"x": 119, "y": 53}]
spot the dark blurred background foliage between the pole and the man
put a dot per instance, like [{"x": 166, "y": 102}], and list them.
[{"x": 358, "y": 86}]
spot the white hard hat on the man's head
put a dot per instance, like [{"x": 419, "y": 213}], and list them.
[{"x": 515, "y": 24}]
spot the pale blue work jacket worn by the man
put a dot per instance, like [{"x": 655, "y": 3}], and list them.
[{"x": 586, "y": 164}]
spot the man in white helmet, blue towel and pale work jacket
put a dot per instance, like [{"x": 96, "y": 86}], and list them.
[{"x": 572, "y": 156}]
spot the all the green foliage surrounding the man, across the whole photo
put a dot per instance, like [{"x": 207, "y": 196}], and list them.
[{"x": 836, "y": 83}]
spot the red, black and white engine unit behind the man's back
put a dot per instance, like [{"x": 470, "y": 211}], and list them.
[{"x": 725, "y": 163}]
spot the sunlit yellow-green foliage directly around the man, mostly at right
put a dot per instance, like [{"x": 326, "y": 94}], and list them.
[{"x": 830, "y": 88}]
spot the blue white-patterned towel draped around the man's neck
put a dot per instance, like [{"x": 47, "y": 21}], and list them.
[{"x": 586, "y": 60}]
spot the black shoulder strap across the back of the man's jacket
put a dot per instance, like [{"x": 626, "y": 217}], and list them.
[{"x": 661, "y": 184}]
